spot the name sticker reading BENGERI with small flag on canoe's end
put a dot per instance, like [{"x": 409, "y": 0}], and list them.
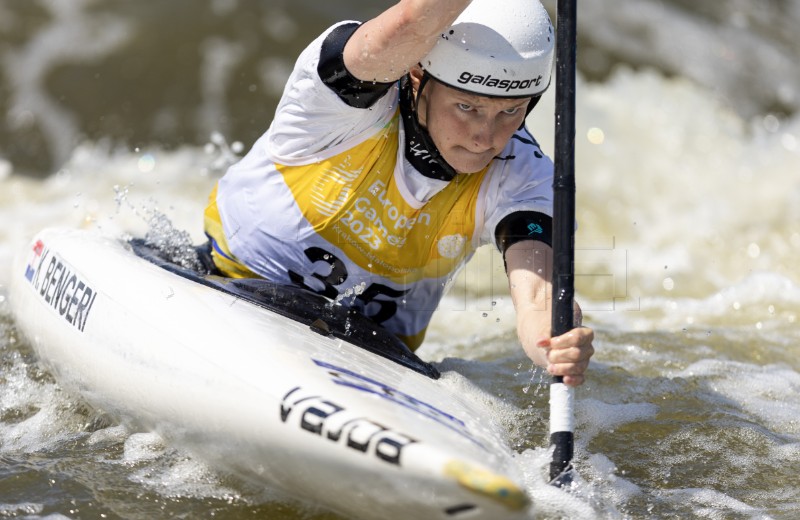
[{"x": 59, "y": 286}]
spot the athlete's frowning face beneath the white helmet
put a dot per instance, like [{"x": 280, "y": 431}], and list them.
[{"x": 469, "y": 130}]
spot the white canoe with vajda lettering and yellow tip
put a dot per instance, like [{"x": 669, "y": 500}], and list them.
[{"x": 217, "y": 367}]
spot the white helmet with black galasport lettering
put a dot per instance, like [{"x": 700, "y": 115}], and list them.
[{"x": 497, "y": 49}]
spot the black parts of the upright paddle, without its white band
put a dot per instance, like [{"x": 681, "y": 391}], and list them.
[{"x": 564, "y": 204}]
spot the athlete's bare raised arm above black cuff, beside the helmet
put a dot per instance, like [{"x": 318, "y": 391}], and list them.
[{"x": 386, "y": 47}]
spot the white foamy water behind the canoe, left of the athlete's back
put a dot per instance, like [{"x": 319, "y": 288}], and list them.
[{"x": 114, "y": 190}]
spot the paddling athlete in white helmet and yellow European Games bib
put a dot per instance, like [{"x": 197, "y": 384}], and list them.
[{"x": 398, "y": 147}]
